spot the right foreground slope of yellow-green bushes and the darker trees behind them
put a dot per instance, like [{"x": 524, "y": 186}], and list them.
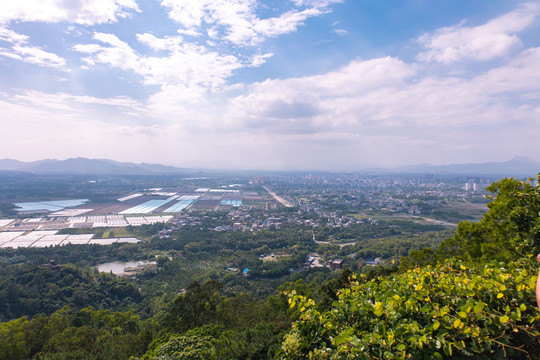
[{"x": 474, "y": 297}]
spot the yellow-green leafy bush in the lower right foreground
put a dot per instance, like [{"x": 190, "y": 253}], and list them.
[{"x": 451, "y": 310}]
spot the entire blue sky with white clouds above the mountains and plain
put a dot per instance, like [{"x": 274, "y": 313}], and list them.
[{"x": 297, "y": 84}]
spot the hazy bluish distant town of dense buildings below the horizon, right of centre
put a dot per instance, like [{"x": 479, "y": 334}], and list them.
[{"x": 398, "y": 193}]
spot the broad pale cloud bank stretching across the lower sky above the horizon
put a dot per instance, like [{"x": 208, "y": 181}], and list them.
[{"x": 369, "y": 110}]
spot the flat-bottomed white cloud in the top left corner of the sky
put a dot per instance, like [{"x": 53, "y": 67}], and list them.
[{"x": 84, "y": 12}]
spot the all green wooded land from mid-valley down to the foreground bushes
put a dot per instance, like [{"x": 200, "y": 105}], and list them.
[{"x": 470, "y": 297}]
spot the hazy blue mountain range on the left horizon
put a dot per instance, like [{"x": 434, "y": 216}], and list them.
[{"x": 88, "y": 166}]
